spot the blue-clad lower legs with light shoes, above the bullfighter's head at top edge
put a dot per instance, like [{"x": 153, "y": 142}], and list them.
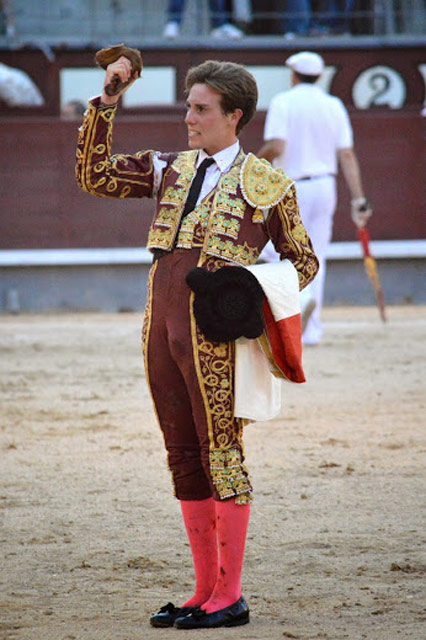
[{"x": 222, "y": 28}]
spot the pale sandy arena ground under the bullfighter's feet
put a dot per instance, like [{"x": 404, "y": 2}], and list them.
[{"x": 91, "y": 536}]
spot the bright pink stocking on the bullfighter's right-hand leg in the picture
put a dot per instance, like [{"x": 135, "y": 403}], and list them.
[{"x": 232, "y": 524}]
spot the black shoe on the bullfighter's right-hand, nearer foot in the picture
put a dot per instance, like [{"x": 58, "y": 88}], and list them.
[{"x": 233, "y": 616}]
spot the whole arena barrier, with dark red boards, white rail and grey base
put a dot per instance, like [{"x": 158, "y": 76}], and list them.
[{"x": 42, "y": 209}]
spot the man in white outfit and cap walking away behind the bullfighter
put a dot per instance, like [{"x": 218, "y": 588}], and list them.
[{"x": 308, "y": 133}]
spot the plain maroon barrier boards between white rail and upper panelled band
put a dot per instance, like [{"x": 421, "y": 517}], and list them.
[{"x": 41, "y": 205}]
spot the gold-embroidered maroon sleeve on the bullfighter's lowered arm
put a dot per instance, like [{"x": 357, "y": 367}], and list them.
[{"x": 290, "y": 238}]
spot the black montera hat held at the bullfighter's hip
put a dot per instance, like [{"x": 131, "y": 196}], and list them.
[{"x": 227, "y": 303}]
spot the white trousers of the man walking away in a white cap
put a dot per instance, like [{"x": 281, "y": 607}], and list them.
[{"x": 317, "y": 202}]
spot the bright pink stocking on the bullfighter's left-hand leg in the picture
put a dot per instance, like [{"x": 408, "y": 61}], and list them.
[{"x": 200, "y": 522}]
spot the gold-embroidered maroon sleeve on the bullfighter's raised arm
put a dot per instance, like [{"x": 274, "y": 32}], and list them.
[{"x": 103, "y": 174}]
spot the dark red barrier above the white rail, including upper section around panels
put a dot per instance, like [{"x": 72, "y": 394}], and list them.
[{"x": 42, "y": 207}]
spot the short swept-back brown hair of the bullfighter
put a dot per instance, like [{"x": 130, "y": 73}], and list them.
[{"x": 235, "y": 84}]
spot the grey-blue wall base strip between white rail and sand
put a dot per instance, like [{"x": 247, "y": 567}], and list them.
[{"x": 124, "y": 287}]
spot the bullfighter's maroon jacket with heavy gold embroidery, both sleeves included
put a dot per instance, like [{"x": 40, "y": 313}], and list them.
[{"x": 251, "y": 203}]
